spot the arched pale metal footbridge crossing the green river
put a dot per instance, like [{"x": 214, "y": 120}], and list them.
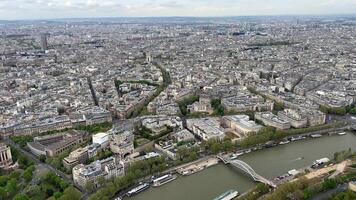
[{"x": 248, "y": 170}]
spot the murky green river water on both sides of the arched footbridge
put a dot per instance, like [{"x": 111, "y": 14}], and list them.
[{"x": 272, "y": 162}]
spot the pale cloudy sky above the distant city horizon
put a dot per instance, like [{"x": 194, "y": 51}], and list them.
[{"x": 52, "y": 9}]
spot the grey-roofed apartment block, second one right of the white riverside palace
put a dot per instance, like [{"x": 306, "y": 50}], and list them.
[{"x": 294, "y": 117}]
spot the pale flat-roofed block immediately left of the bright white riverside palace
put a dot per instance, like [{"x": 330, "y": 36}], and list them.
[{"x": 206, "y": 128}]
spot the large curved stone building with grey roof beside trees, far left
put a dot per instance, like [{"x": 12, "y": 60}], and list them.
[{"x": 51, "y": 145}]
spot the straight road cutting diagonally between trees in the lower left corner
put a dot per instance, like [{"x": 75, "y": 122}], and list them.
[{"x": 47, "y": 166}]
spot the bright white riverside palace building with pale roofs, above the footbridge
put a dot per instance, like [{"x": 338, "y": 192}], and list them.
[{"x": 241, "y": 124}]
